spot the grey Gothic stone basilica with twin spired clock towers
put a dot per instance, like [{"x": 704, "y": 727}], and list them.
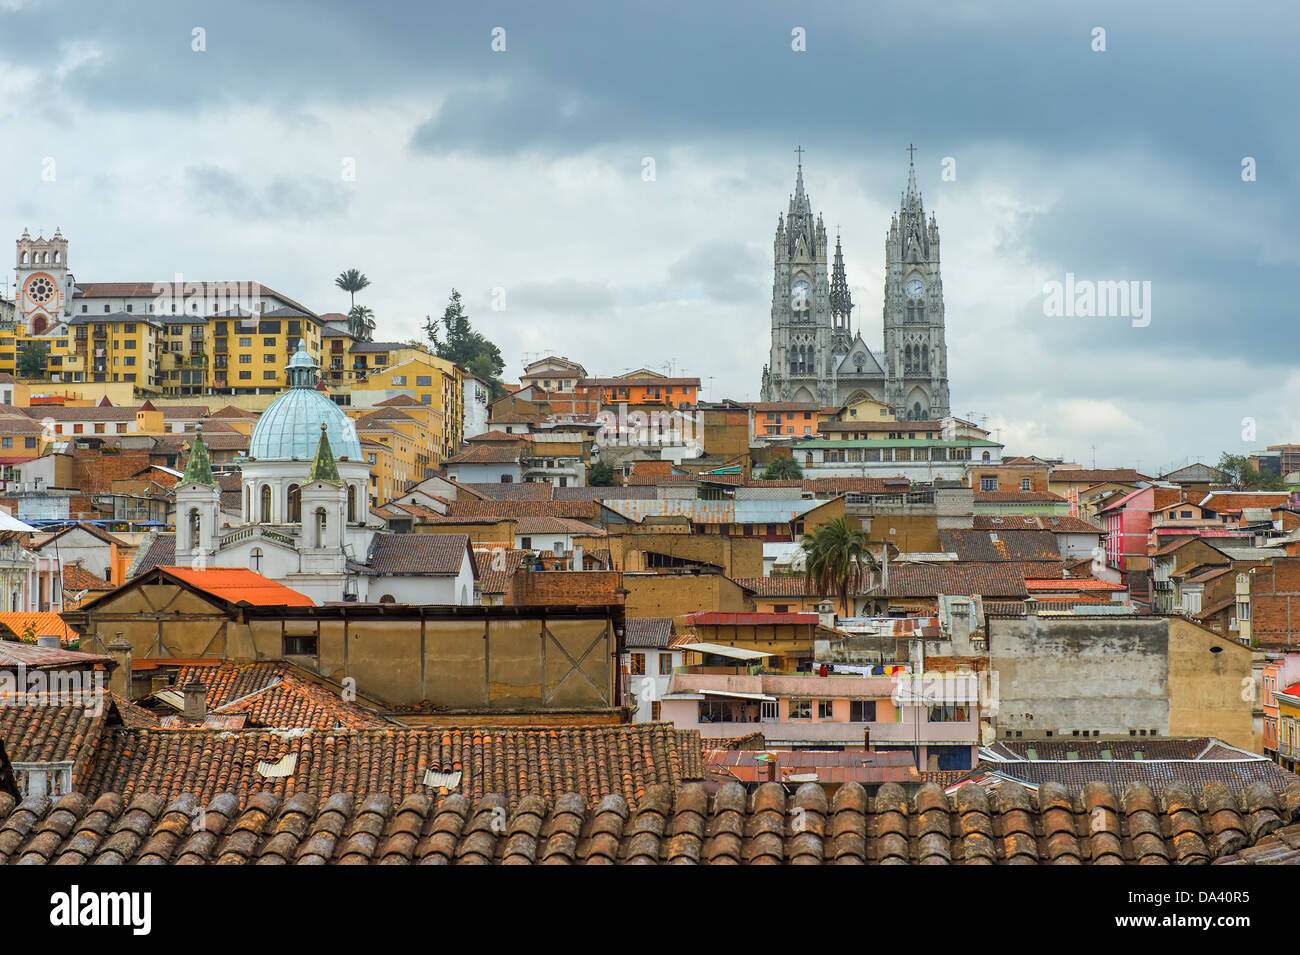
[{"x": 816, "y": 357}]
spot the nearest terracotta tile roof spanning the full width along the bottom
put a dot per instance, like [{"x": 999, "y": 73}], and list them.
[{"x": 665, "y": 826}]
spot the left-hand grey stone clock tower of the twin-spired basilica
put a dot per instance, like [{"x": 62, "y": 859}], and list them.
[{"x": 800, "y": 364}]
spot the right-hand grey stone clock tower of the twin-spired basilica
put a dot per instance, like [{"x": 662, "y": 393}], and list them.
[{"x": 916, "y": 354}]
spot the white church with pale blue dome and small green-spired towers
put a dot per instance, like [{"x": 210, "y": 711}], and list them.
[{"x": 305, "y": 514}]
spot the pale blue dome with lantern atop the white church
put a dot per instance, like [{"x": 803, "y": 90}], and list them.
[{"x": 291, "y": 428}]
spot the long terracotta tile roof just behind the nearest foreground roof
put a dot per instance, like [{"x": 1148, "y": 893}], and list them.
[{"x": 512, "y": 762}]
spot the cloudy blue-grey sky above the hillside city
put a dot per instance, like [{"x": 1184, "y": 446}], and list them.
[{"x": 522, "y": 171}]
